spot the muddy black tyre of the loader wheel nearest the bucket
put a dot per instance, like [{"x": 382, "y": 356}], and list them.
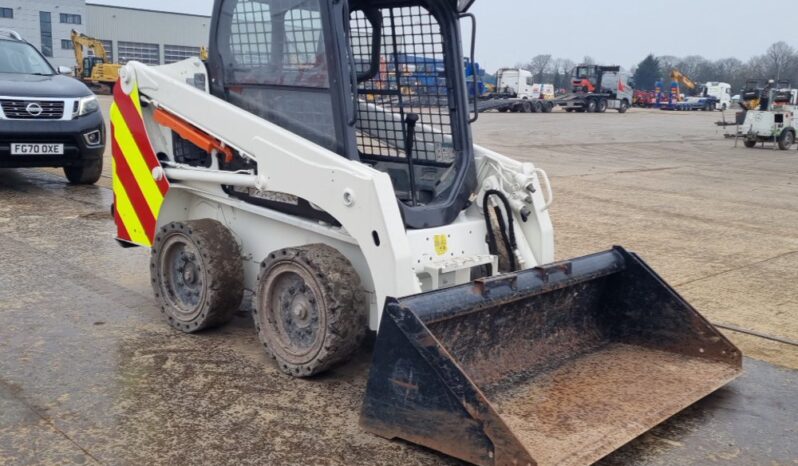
[{"x": 341, "y": 310}]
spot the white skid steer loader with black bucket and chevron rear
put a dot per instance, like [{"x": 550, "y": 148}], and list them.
[{"x": 305, "y": 163}]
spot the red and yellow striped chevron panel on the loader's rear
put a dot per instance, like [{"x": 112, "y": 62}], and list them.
[{"x": 137, "y": 195}]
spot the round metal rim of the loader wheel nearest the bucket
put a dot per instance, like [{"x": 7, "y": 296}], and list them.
[{"x": 291, "y": 313}]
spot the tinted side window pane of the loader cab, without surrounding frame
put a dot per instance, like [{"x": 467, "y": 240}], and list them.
[{"x": 274, "y": 58}]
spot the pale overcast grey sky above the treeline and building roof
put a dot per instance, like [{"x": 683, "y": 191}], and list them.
[{"x": 612, "y": 32}]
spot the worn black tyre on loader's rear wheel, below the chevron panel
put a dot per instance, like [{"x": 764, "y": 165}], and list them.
[{"x": 220, "y": 272}]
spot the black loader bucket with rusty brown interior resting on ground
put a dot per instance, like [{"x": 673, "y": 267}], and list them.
[{"x": 558, "y": 365}]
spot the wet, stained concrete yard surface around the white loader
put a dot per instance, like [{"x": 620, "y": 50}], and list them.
[{"x": 91, "y": 374}]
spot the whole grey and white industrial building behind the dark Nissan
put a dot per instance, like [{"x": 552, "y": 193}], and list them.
[{"x": 153, "y": 37}]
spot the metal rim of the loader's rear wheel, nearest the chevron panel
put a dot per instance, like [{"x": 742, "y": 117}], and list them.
[{"x": 182, "y": 277}]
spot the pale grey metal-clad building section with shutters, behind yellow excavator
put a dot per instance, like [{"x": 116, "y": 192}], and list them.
[{"x": 140, "y": 30}]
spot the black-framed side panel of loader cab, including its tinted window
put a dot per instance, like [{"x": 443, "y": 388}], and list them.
[{"x": 281, "y": 60}]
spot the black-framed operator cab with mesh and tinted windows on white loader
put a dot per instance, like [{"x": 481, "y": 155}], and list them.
[{"x": 376, "y": 81}]
